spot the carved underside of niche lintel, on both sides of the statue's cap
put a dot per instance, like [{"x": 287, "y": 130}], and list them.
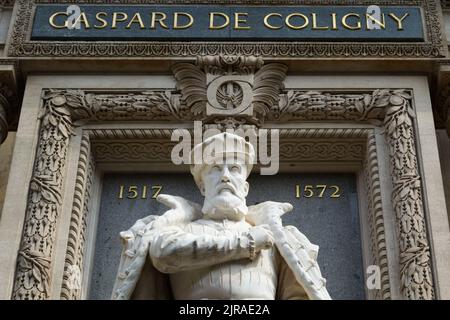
[{"x": 134, "y": 146}]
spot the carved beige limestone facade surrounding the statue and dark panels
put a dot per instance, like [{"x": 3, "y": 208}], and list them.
[{"x": 60, "y": 102}]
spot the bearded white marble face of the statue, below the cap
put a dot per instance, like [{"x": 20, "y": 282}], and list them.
[{"x": 225, "y": 188}]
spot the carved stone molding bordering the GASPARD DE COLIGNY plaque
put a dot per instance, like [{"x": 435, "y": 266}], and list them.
[{"x": 434, "y": 47}]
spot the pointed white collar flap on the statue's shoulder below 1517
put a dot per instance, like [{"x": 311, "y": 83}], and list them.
[{"x": 181, "y": 210}]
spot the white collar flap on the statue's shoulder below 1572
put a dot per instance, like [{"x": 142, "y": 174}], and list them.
[{"x": 268, "y": 212}]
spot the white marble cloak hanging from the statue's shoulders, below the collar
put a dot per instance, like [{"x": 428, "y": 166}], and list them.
[{"x": 137, "y": 278}]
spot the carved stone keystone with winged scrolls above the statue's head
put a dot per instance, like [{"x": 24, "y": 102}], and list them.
[{"x": 230, "y": 86}]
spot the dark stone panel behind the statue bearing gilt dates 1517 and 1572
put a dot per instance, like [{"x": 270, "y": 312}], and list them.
[{"x": 325, "y": 210}]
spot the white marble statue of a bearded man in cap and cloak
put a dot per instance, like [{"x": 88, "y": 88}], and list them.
[{"x": 223, "y": 250}]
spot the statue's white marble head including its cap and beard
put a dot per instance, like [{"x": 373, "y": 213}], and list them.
[{"x": 224, "y": 162}]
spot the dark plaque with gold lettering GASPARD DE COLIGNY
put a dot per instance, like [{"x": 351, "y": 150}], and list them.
[{"x": 227, "y": 23}]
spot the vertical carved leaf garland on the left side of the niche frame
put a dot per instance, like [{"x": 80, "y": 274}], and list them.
[{"x": 44, "y": 200}]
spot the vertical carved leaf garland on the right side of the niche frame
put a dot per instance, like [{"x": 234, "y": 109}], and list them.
[{"x": 415, "y": 261}]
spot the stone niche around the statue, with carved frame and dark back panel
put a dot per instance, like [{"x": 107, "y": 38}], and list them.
[{"x": 96, "y": 133}]
